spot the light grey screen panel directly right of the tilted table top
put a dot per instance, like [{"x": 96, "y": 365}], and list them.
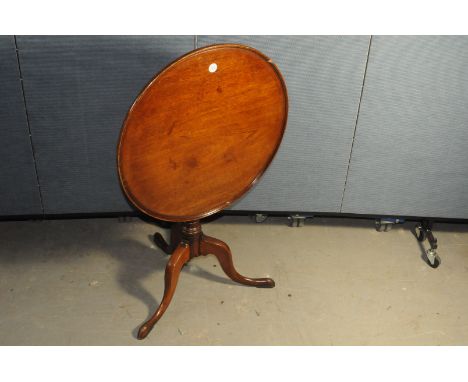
[{"x": 324, "y": 78}]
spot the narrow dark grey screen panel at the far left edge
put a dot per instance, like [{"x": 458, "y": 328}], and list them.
[{"x": 19, "y": 191}]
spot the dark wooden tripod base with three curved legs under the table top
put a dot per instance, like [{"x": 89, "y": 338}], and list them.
[{"x": 188, "y": 241}]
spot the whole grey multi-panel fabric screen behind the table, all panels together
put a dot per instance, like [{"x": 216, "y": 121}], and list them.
[{"x": 409, "y": 155}]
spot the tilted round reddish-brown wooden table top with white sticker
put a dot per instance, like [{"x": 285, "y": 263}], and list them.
[{"x": 202, "y": 132}]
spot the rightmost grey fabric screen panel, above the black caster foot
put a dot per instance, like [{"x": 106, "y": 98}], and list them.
[{"x": 410, "y": 155}]
